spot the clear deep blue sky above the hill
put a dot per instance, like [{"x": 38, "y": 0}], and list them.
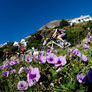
[{"x": 20, "y": 18}]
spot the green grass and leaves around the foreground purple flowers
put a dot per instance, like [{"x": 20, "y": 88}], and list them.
[{"x": 66, "y": 76}]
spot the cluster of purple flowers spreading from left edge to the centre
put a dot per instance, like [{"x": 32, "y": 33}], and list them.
[{"x": 32, "y": 74}]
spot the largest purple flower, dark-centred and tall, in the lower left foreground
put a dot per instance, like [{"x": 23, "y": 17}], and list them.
[{"x": 33, "y": 76}]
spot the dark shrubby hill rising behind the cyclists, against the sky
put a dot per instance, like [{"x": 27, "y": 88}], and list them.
[{"x": 75, "y": 33}]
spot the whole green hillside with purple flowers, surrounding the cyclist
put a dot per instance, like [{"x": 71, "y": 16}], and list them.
[{"x": 44, "y": 70}]
